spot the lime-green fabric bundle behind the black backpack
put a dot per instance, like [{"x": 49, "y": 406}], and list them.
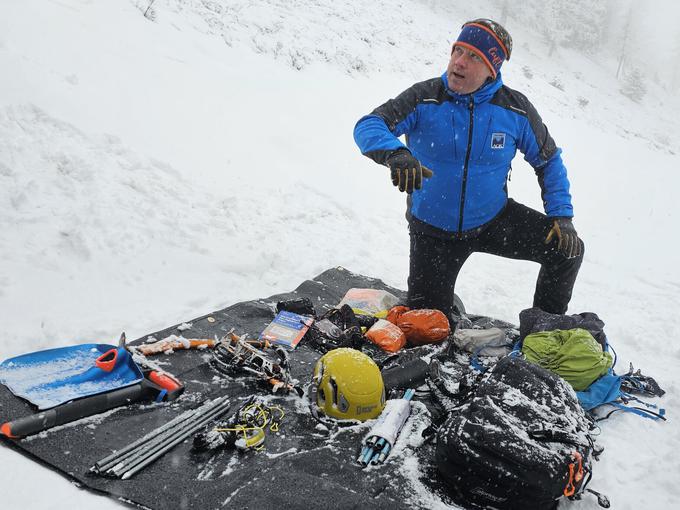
[{"x": 573, "y": 354}]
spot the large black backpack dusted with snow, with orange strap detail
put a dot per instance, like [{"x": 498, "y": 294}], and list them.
[{"x": 521, "y": 441}]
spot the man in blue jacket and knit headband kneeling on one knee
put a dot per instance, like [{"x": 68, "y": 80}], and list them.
[{"x": 462, "y": 132}]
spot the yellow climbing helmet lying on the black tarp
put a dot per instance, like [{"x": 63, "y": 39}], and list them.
[{"x": 348, "y": 385}]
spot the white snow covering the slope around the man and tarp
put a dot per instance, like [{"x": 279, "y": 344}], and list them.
[{"x": 151, "y": 171}]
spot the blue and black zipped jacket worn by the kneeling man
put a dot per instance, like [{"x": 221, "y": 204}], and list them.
[{"x": 469, "y": 142}]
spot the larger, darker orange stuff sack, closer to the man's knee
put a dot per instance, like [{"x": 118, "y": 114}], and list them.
[{"x": 420, "y": 326}]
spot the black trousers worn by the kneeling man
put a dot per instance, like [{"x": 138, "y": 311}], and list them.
[{"x": 518, "y": 232}]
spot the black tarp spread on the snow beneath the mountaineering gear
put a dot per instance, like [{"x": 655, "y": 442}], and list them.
[{"x": 301, "y": 467}]
